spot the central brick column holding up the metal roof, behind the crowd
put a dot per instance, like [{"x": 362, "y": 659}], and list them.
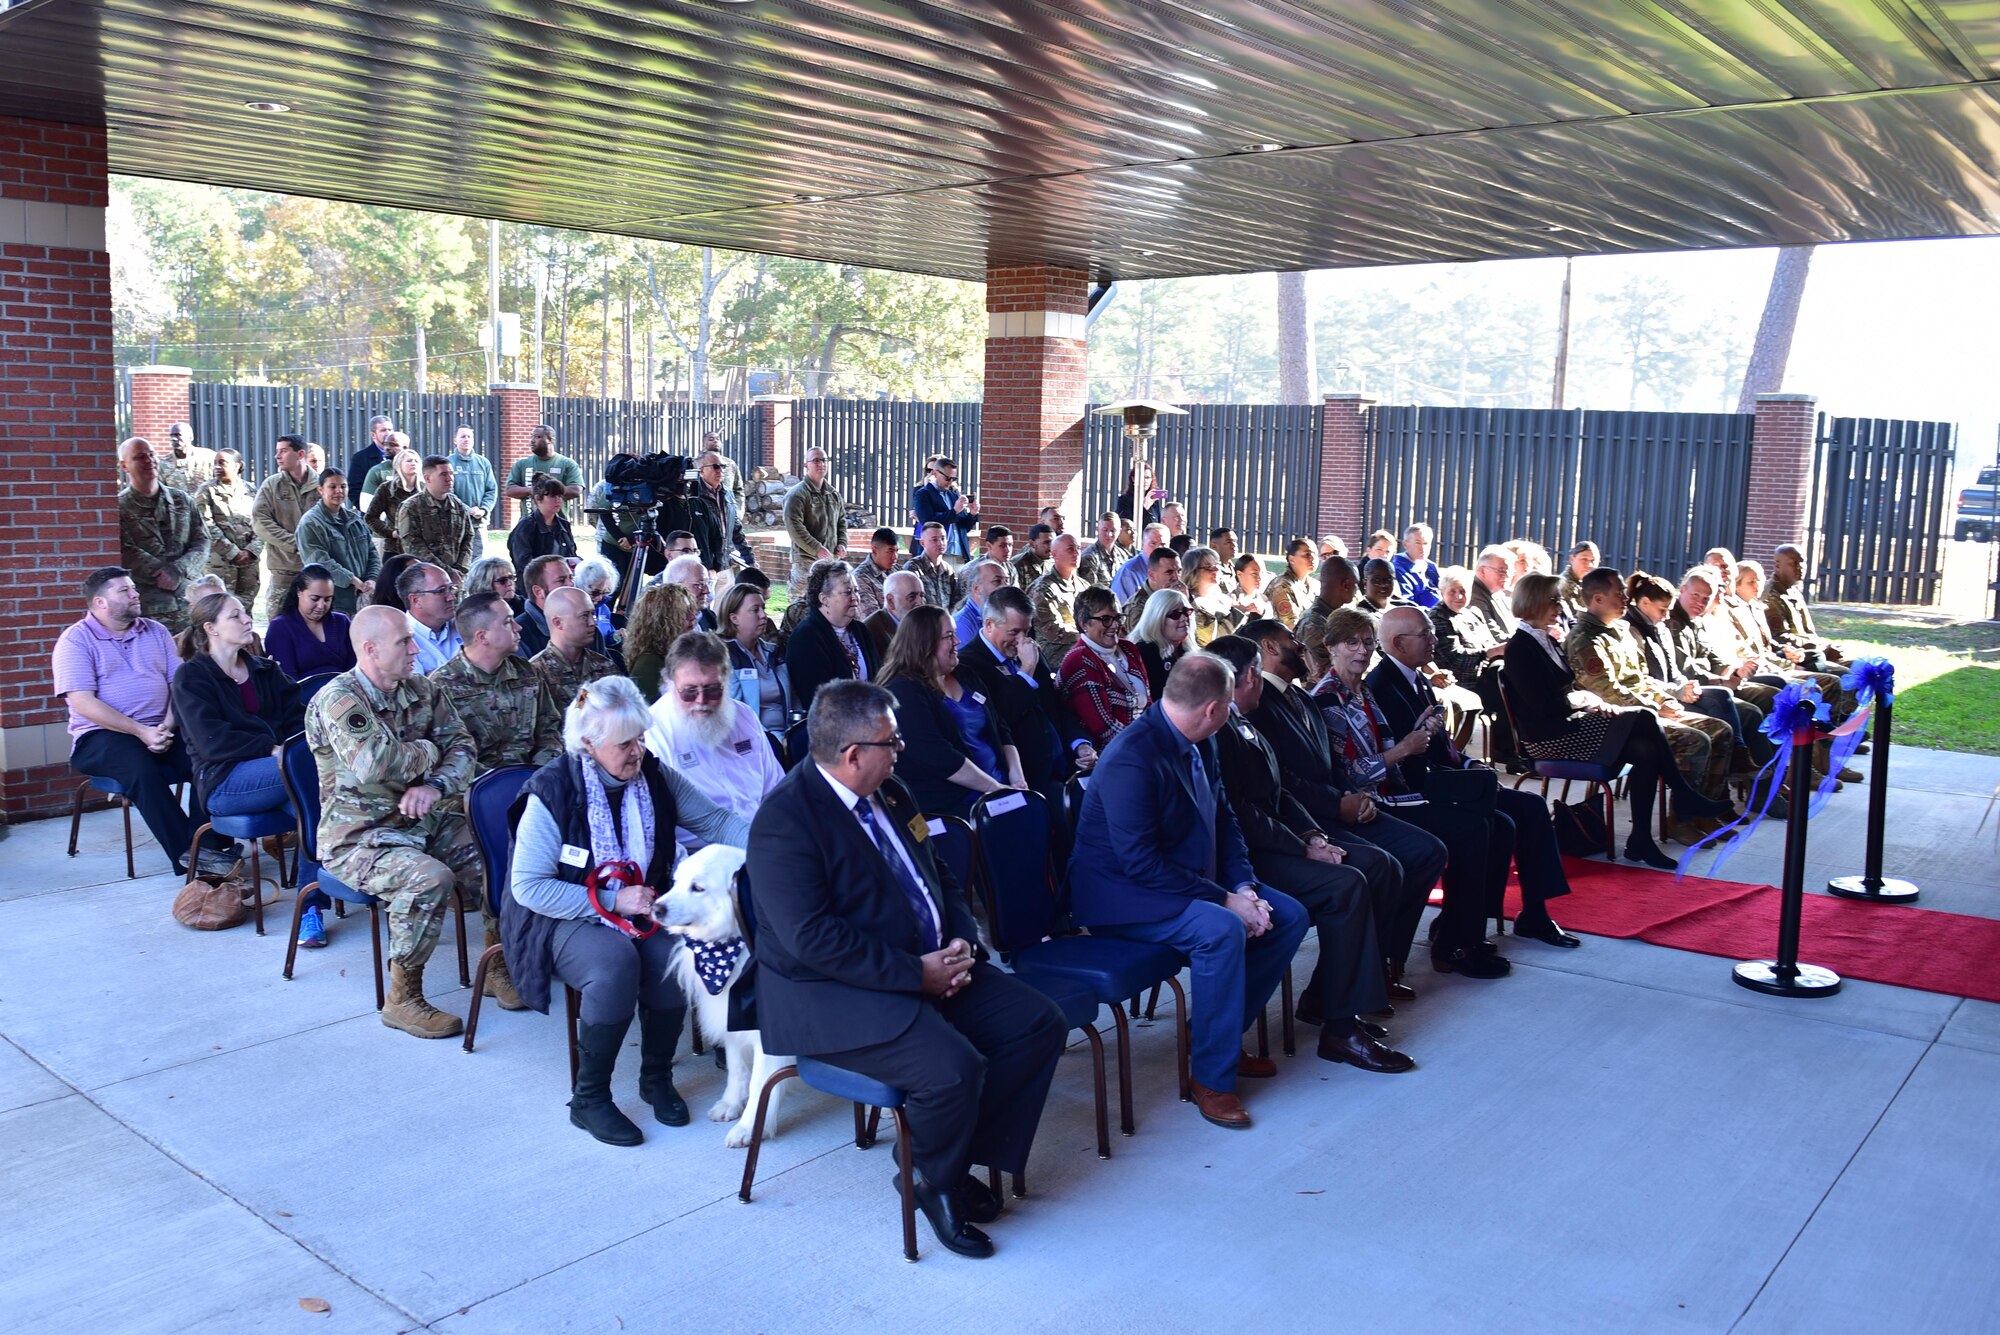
[{"x": 1033, "y": 419}]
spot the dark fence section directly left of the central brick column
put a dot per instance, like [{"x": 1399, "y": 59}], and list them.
[{"x": 879, "y": 449}]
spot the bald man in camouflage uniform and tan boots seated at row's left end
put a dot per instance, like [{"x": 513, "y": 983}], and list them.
[{"x": 391, "y": 752}]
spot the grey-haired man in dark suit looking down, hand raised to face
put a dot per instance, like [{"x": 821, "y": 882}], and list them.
[{"x": 1009, "y": 670}]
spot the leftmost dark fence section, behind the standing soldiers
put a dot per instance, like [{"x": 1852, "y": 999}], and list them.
[{"x": 251, "y": 419}]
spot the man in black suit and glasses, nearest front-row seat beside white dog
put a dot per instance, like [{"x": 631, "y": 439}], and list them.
[{"x": 867, "y": 962}]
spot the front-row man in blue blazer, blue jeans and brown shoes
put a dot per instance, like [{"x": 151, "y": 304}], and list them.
[{"x": 1159, "y": 860}]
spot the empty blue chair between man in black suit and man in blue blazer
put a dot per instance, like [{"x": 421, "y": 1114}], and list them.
[{"x": 1021, "y": 910}]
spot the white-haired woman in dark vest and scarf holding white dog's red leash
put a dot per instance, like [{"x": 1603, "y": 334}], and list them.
[{"x": 593, "y": 848}]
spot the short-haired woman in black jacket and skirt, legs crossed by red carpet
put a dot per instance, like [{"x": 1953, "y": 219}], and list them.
[{"x": 1557, "y": 720}]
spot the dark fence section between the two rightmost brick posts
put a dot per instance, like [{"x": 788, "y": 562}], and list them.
[{"x": 1653, "y": 491}]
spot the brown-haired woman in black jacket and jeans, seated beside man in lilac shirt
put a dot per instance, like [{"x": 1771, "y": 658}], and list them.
[{"x": 235, "y": 712}]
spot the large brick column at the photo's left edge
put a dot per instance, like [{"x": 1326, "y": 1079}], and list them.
[{"x": 57, "y": 393}]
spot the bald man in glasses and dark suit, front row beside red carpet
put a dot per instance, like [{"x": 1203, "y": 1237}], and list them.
[{"x": 1519, "y": 830}]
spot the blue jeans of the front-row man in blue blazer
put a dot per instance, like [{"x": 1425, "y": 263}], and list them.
[{"x": 1233, "y": 974}]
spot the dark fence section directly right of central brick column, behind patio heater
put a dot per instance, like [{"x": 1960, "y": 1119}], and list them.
[{"x": 1245, "y": 467}]
